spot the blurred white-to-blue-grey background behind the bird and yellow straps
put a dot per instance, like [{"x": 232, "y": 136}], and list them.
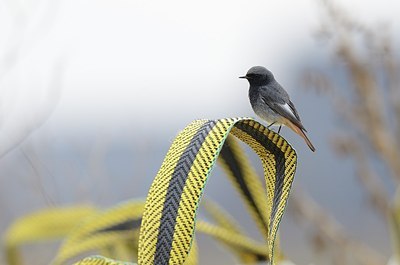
[{"x": 92, "y": 94}]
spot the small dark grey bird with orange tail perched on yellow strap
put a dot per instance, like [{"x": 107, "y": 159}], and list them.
[{"x": 272, "y": 103}]
